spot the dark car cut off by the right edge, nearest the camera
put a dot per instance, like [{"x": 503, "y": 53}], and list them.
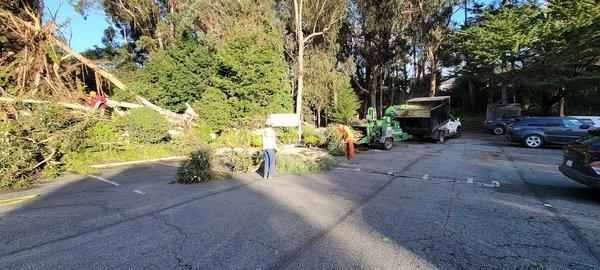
[{"x": 582, "y": 160}]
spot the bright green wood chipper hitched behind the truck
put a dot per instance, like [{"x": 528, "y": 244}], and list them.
[{"x": 379, "y": 132}]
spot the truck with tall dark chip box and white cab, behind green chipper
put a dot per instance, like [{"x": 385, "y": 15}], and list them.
[{"x": 426, "y": 118}]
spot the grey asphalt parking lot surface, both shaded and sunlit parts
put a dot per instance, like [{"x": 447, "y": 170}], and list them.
[{"x": 475, "y": 202}]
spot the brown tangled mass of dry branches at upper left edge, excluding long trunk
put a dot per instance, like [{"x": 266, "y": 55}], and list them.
[{"x": 32, "y": 66}]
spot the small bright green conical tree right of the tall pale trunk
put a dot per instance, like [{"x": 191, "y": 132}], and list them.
[{"x": 344, "y": 110}]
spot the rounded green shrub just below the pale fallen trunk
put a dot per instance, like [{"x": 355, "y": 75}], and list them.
[{"x": 144, "y": 125}]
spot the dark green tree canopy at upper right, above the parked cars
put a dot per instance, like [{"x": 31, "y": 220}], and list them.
[{"x": 541, "y": 53}]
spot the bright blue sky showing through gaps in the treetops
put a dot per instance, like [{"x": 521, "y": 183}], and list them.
[{"x": 85, "y": 33}]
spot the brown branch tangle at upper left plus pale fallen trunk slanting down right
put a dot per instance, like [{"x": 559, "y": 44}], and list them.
[{"x": 42, "y": 67}]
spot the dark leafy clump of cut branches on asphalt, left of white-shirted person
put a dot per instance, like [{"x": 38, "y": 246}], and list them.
[{"x": 197, "y": 169}]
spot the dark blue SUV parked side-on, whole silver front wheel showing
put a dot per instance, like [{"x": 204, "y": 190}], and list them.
[{"x": 536, "y": 131}]
